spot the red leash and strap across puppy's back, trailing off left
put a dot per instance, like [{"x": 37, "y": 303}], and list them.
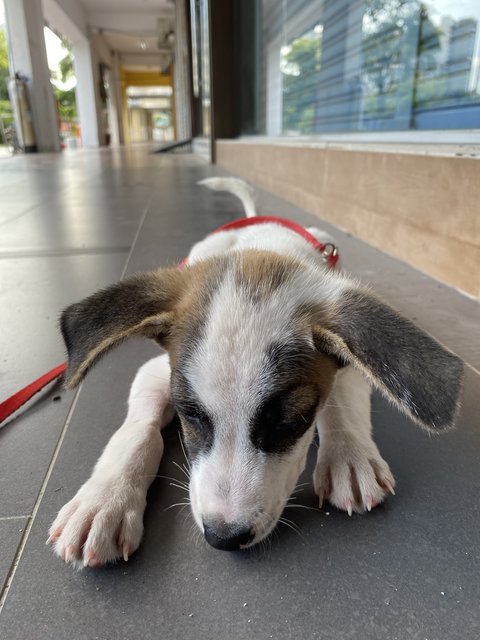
[{"x": 328, "y": 251}]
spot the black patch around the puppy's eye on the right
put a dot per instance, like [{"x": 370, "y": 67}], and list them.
[{"x": 283, "y": 418}]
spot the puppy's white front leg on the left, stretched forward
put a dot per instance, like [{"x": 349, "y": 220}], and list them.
[{"x": 104, "y": 521}]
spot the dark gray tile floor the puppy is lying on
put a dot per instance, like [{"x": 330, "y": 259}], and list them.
[{"x": 408, "y": 570}]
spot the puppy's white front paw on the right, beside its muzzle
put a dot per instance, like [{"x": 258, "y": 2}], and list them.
[{"x": 352, "y": 475}]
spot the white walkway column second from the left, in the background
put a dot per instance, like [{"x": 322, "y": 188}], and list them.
[{"x": 85, "y": 92}]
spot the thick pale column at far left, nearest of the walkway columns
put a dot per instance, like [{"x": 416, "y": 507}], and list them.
[{"x": 25, "y": 23}]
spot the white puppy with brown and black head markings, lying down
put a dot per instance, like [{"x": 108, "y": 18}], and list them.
[{"x": 264, "y": 344}]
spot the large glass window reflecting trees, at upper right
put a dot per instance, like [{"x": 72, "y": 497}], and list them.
[{"x": 370, "y": 65}]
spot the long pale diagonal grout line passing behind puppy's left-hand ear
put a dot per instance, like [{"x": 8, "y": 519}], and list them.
[{"x": 24, "y": 539}]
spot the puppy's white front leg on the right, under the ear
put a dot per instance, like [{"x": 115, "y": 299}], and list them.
[{"x": 350, "y": 471}]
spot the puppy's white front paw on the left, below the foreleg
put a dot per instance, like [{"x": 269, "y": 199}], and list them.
[{"x": 102, "y": 523}]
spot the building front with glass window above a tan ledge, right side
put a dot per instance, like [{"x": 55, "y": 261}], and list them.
[{"x": 364, "y": 112}]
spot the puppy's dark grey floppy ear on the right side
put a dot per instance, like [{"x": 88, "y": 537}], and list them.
[{"x": 410, "y": 368}]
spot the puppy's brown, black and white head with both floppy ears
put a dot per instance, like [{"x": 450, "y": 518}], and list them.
[{"x": 255, "y": 341}]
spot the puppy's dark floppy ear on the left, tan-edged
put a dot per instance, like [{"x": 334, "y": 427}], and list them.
[{"x": 140, "y": 305}]
